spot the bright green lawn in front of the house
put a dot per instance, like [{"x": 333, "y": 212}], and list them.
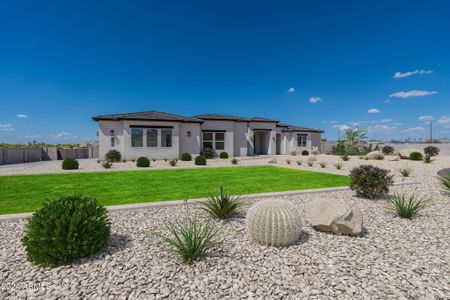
[{"x": 27, "y": 193}]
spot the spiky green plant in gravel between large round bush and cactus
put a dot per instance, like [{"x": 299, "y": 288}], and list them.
[{"x": 190, "y": 240}]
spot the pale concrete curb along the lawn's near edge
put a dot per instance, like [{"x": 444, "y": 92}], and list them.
[{"x": 13, "y": 217}]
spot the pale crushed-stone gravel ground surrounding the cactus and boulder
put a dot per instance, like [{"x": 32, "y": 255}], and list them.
[{"x": 394, "y": 259}]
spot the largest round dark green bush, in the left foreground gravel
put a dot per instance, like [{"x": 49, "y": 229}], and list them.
[{"x": 65, "y": 230}]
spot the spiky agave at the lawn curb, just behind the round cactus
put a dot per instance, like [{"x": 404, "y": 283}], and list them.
[{"x": 222, "y": 206}]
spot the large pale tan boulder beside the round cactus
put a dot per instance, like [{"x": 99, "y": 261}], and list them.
[{"x": 336, "y": 216}]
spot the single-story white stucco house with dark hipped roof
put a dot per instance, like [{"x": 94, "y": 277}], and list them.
[{"x": 161, "y": 135}]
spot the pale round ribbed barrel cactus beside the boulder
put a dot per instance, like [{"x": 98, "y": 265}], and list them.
[{"x": 274, "y": 223}]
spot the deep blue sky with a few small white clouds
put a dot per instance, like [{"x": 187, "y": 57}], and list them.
[{"x": 320, "y": 64}]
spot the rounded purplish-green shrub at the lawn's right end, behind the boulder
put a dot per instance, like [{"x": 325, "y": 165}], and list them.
[{"x": 370, "y": 182}]
